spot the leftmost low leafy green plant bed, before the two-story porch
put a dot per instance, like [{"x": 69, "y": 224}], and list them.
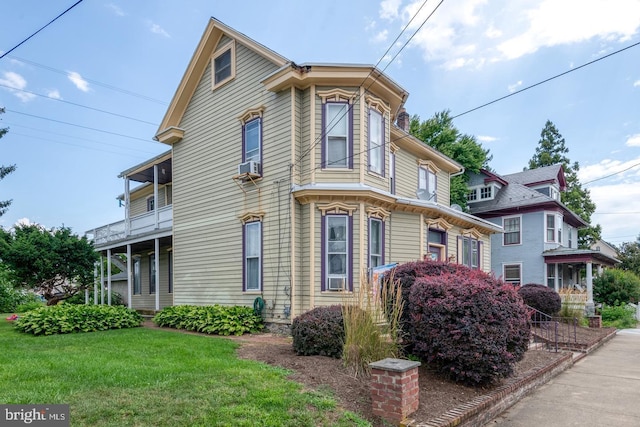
[{"x": 70, "y": 318}]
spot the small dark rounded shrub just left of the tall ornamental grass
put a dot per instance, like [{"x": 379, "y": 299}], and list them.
[{"x": 319, "y": 331}]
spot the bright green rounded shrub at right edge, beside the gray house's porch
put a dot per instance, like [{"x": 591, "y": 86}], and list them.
[{"x": 616, "y": 286}]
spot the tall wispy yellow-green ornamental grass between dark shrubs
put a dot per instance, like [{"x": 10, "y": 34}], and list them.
[{"x": 371, "y": 326}]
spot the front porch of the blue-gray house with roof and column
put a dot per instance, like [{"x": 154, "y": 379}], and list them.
[{"x": 565, "y": 267}]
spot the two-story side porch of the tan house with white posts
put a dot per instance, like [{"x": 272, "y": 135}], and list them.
[{"x": 140, "y": 246}]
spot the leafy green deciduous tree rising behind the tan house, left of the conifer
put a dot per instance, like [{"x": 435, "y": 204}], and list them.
[{"x": 440, "y": 133}]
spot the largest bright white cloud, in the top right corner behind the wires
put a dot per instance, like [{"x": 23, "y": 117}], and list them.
[{"x": 469, "y": 33}]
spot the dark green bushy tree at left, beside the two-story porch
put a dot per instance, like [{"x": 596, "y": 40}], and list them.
[{"x": 55, "y": 263}]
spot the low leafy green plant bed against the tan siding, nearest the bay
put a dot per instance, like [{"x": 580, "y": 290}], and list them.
[{"x": 210, "y": 319}]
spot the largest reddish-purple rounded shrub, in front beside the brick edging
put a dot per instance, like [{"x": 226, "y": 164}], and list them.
[{"x": 467, "y": 328}]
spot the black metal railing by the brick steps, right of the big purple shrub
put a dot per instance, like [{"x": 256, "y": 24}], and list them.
[{"x": 553, "y": 332}]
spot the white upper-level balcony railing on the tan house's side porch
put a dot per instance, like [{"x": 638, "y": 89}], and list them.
[{"x": 140, "y": 224}]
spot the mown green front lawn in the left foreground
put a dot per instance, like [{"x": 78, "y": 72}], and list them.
[{"x": 147, "y": 377}]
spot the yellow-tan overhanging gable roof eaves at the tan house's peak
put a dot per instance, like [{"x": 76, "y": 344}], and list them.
[{"x": 198, "y": 63}]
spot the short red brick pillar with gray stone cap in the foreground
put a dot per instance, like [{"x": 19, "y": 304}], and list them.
[{"x": 394, "y": 388}]
